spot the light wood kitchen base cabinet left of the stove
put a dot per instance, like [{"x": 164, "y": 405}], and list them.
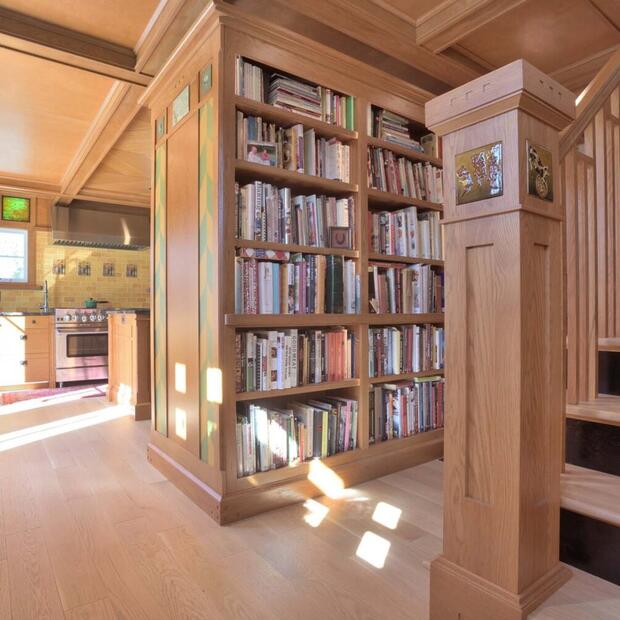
[{"x": 26, "y": 351}]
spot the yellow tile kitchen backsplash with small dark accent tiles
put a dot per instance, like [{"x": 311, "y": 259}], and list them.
[{"x": 70, "y": 289}]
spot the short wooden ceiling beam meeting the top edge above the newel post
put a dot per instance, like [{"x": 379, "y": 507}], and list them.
[{"x": 452, "y": 20}]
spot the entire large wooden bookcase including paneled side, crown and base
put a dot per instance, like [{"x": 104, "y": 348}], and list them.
[{"x": 237, "y": 219}]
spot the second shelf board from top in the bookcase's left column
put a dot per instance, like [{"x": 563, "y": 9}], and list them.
[{"x": 249, "y": 171}]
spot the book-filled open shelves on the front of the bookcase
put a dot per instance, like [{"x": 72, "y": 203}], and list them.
[{"x": 394, "y": 245}]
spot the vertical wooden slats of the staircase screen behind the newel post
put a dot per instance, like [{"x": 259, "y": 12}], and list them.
[{"x": 591, "y": 174}]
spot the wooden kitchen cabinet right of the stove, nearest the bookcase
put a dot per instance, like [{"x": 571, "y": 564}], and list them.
[{"x": 129, "y": 381}]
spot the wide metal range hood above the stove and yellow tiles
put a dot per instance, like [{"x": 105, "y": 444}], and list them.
[{"x": 96, "y": 225}]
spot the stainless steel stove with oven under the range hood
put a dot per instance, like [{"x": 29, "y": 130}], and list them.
[{"x": 81, "y": 344}]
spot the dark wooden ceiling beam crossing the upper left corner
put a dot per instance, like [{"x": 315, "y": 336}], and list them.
[{"x": 35, "y": 37}]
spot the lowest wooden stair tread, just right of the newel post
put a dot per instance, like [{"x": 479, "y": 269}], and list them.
[{"x": 591, "y": 493}]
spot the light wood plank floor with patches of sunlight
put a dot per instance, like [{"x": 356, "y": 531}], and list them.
[{"x": 89, "y": 530}]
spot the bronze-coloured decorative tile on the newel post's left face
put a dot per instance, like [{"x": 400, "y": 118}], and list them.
[{"x": 479, "y": 174}]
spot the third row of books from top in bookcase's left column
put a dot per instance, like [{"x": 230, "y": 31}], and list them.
[{"x": 265, "y": 212}]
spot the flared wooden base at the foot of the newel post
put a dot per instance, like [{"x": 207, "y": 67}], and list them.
[{"x": 457, "y": 594}]
